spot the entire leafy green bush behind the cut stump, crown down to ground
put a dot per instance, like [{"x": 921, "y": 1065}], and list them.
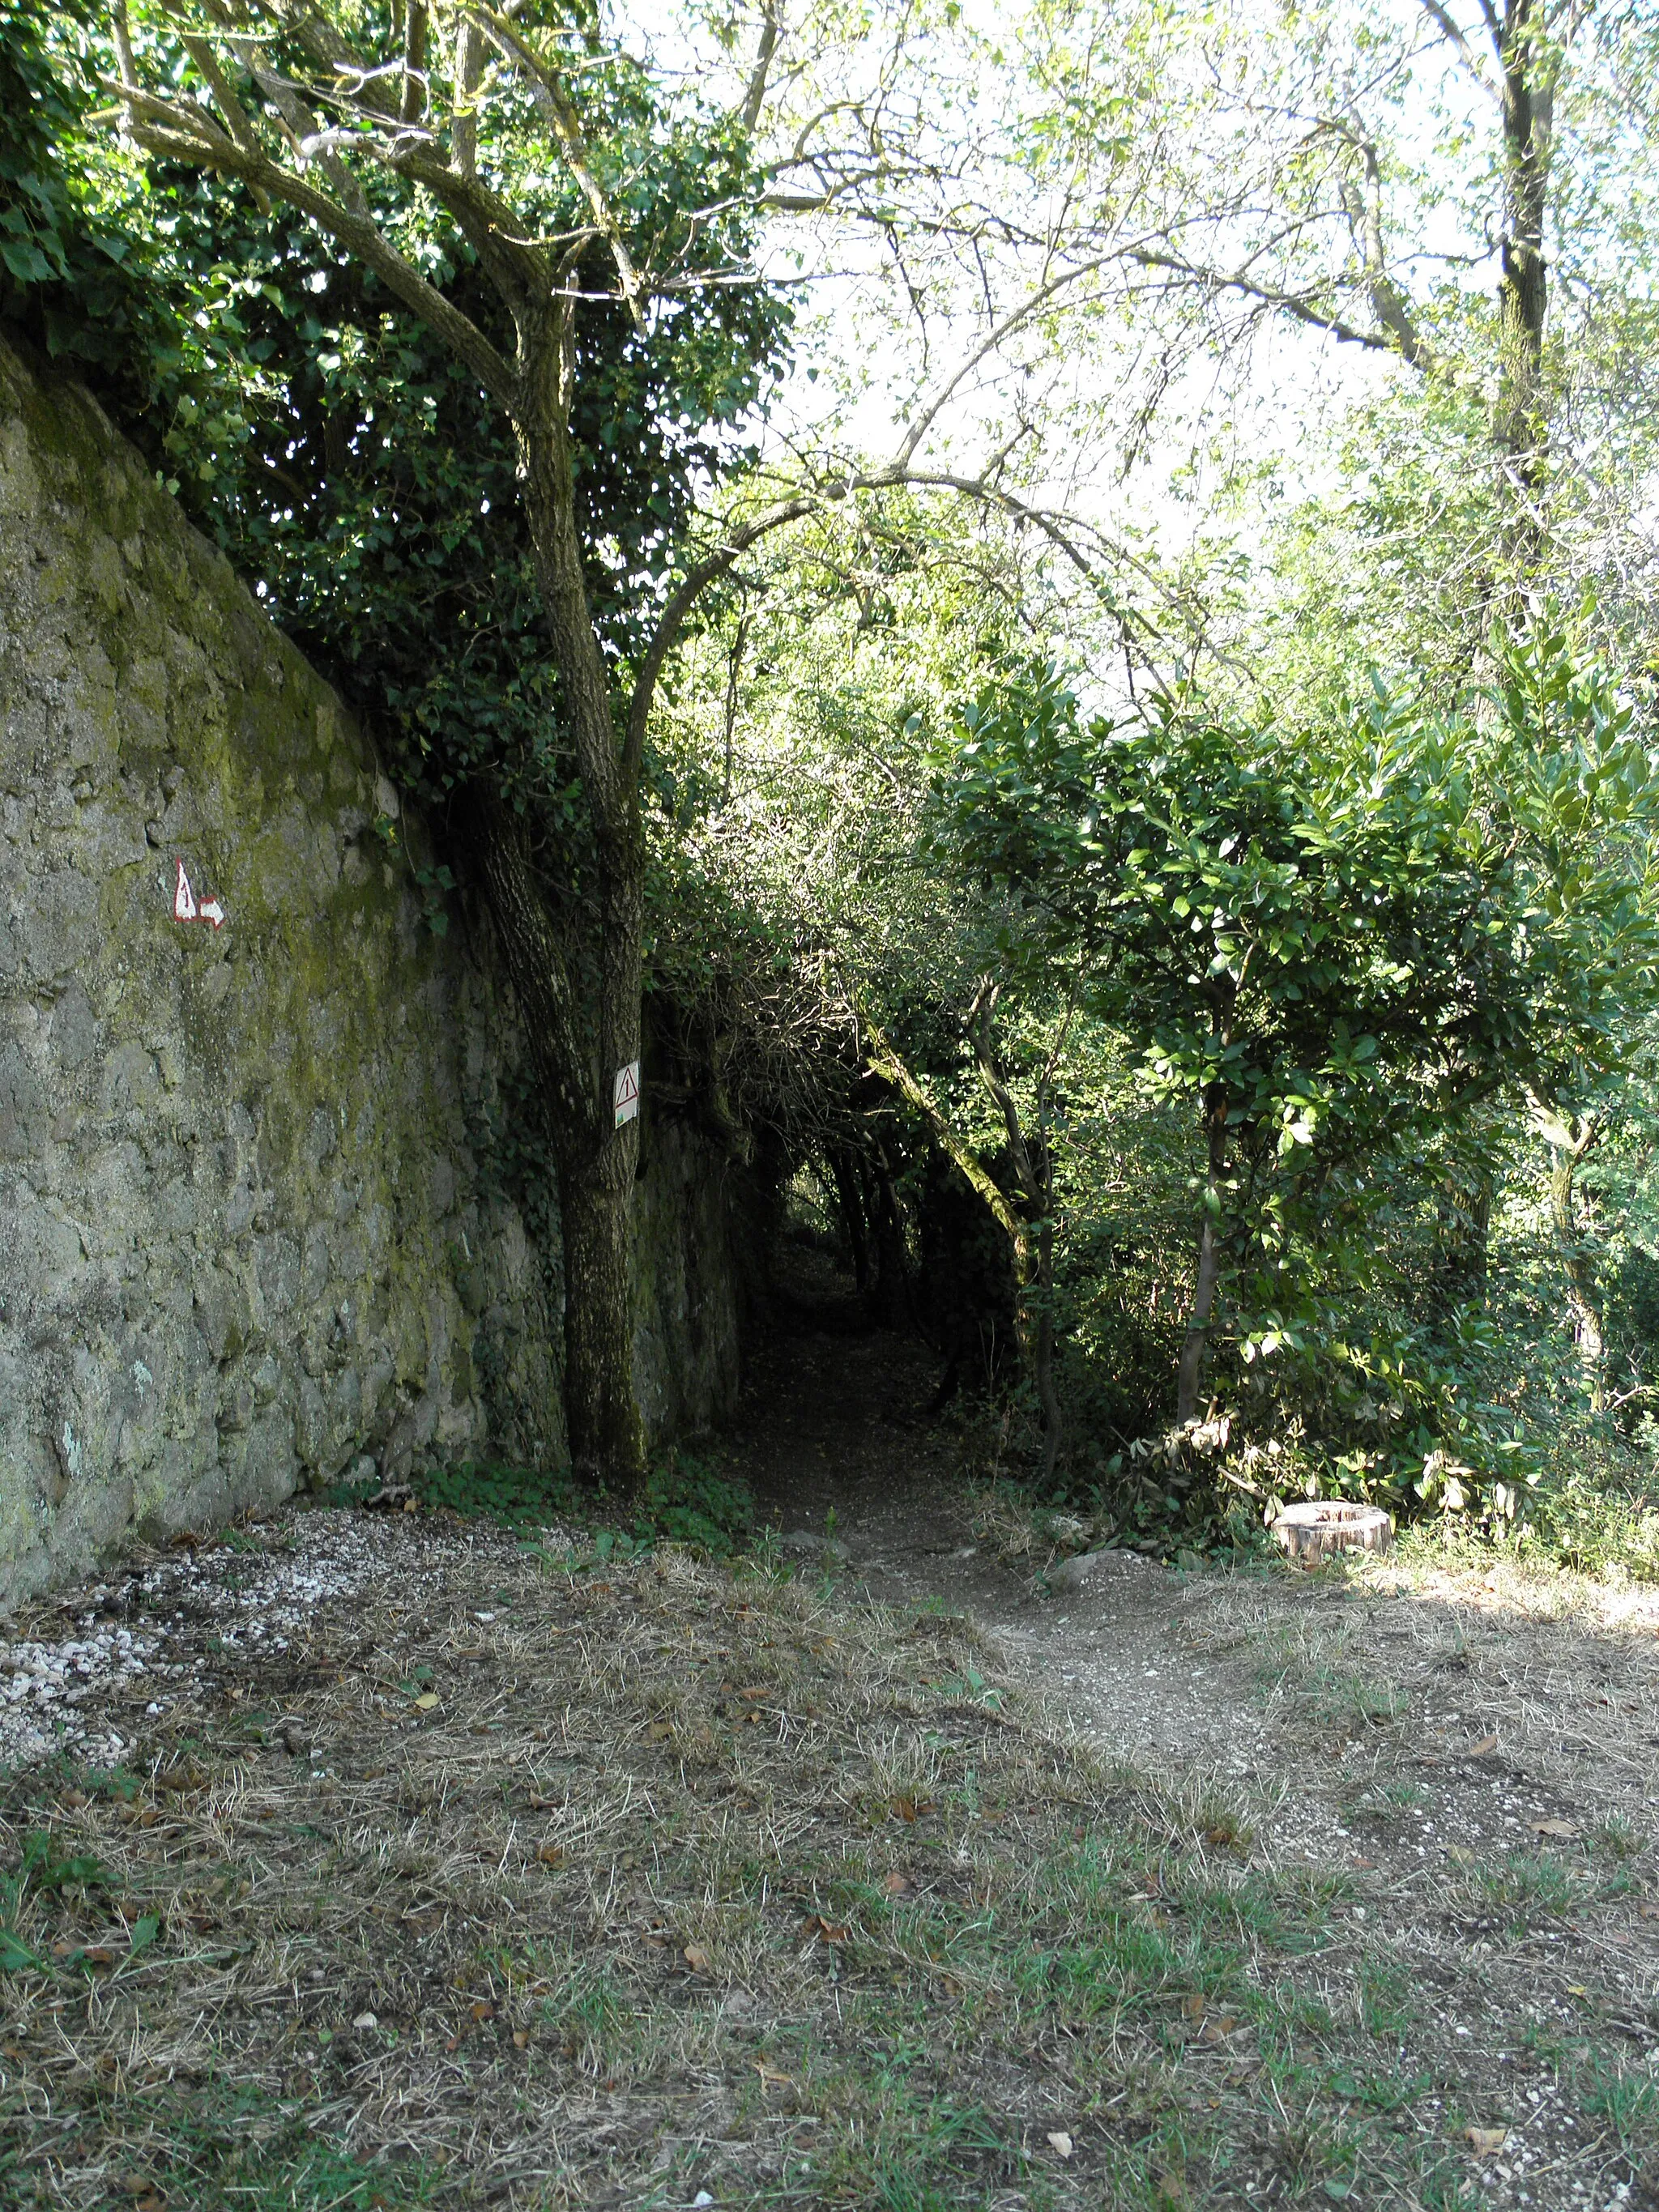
[{"x": 1339, "y": 943}]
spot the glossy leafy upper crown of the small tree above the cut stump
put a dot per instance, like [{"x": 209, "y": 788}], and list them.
[{"x": 1304, "y": 917}]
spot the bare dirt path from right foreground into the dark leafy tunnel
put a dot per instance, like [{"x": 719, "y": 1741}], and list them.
[{"x": 1474, "y": 1753}]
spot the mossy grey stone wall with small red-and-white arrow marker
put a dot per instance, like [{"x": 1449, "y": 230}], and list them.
[{"x": 249, "y": 1224}]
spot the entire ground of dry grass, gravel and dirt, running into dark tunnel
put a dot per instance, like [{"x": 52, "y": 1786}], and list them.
[{"x": 375, "y": 1859}]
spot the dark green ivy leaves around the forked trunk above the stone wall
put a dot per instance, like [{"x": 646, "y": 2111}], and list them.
[{"x": 375, "y": 492}]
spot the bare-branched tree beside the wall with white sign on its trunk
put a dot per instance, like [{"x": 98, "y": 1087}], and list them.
[{"x": 501, "y": 176}]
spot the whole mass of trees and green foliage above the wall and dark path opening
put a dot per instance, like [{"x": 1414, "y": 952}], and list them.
[{"x": 1050, "y": 616}]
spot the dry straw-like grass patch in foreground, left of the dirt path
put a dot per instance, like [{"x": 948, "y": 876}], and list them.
[{"x": 713, "y": 1881}]
